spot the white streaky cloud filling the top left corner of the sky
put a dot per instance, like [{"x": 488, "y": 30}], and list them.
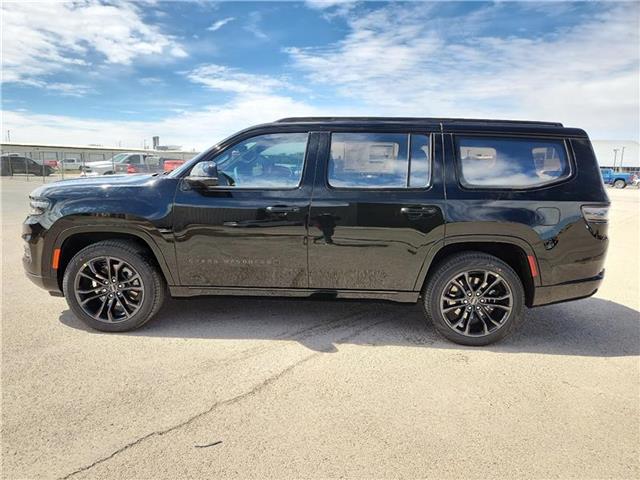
[{"x": 44, "y": 38}]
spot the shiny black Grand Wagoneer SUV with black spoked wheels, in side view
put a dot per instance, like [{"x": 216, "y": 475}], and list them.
[{"x": 475, "y": 219}]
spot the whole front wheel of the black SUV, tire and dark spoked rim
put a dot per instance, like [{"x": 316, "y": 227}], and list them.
[{"x": 129, "y": 302}]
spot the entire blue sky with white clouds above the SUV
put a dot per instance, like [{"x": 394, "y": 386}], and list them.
[{"x": 194, "y": 72}]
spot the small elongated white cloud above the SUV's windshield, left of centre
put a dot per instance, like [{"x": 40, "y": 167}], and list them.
[{"x": 219, "y": 77}]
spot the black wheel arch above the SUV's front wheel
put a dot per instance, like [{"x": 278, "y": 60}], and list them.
[{"x": 72, "y": 240}]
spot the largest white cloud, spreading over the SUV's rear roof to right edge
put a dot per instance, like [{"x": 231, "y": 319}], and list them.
[{"x": 405, "y": 61}]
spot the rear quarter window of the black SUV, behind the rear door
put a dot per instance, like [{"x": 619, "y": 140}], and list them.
[{"x": 487, "y": 162}]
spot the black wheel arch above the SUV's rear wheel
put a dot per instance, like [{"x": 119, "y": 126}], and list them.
[{"x": 513, "y": 251}]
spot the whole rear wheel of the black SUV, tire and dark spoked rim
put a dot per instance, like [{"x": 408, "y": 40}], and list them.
[{"x": 494, "y": 319}]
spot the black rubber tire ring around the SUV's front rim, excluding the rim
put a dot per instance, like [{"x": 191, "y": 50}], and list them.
[{"x": 137, "y": 262}]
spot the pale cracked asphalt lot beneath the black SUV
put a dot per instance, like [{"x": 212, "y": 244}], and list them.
[{"x": 318, "y": 389}]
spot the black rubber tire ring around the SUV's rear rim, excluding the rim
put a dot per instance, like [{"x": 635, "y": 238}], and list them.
[{"x": 459, "y": 265}]
